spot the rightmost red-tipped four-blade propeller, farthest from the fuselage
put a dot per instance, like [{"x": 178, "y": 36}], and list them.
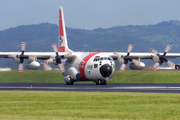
[{"x": 162, "y": 58}]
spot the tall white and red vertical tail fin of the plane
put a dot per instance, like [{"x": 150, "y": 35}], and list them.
[{"x": 62, "y": 45}]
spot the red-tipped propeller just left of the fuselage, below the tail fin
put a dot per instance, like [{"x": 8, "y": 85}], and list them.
[{"x": 57, "y": 59}]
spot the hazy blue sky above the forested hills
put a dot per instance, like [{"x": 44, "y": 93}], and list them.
[{"x": 88, "y": 14}]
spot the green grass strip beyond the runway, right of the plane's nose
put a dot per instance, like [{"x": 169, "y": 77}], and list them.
[{"x": 146, "y": 77}]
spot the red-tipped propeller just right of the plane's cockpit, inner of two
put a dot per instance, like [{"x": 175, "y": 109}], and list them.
[{"x": 124, "y": 59}]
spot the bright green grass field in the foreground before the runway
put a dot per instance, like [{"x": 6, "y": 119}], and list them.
[{"x": 48, "y": 105}]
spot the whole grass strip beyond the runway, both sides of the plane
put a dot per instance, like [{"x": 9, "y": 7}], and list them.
[{"x": 125, "y": 77}]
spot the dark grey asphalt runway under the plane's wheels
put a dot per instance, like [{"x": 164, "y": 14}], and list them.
[{"x": 91, "y": 87}]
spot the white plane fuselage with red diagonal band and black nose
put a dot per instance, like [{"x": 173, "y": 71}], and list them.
[{"x": 89, "y": 67}]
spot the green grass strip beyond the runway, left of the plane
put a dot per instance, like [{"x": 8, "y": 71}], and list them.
[{"x": 31, "y": 76}]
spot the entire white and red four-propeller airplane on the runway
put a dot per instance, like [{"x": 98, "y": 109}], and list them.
[{"x": 98, "y": 67}]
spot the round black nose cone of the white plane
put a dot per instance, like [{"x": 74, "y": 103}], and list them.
[{"x": 106, "y": 70}]
